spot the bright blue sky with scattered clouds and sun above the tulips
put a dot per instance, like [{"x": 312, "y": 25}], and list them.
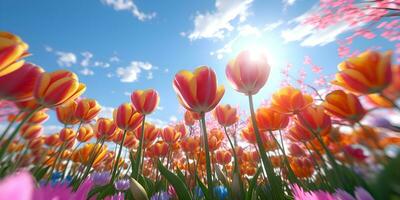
[{"x": 118, "y": 46}]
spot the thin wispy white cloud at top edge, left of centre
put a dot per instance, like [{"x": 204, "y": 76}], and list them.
[{"x": 129, "y": 5}]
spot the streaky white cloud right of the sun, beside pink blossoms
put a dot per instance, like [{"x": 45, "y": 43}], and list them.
[{"x": 311, "y": 36}]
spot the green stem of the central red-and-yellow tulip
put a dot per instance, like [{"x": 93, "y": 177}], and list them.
[{"x": 207, "y": 152}]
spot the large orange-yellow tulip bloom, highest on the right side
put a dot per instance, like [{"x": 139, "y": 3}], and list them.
[{"x": 369, "y": 72}]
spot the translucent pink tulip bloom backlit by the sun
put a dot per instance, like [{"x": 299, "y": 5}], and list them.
[{"x": 248, "y": 72}]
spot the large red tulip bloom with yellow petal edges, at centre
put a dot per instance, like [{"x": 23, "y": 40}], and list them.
[{"x": 198, "y": 91}]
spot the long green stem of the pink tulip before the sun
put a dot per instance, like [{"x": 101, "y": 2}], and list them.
[{"x": 277, "y": 191}]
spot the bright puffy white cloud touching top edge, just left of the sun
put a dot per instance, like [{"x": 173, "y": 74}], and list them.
[{"x": 217, "y": 23}]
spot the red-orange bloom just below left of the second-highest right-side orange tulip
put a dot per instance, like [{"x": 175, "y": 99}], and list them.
[{"x": 314, "y": 118}]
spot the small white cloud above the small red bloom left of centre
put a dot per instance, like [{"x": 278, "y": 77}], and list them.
[{"x": 131, "y": 72}]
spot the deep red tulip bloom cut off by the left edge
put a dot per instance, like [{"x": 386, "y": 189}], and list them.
[{"x": 19, "y": 84}]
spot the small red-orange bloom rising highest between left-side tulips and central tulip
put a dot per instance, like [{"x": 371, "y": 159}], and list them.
[{"x": 145, "y": 101}]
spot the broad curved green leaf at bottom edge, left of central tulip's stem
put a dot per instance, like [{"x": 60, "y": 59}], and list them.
[{"x": 179, "y": 186}]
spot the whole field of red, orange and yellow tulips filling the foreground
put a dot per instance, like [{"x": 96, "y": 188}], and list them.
[{"x": 297, "y": 146}]
